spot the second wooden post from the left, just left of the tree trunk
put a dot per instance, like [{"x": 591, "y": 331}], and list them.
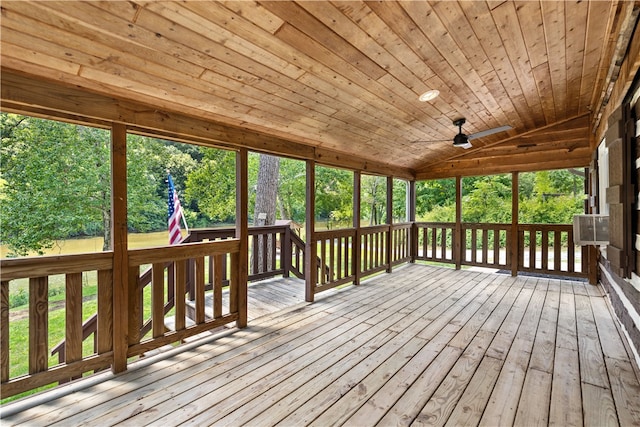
[{"x": 242, "y": 233}]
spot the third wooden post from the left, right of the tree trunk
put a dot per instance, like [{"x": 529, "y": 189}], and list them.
[{"x": 310, "y": 259}]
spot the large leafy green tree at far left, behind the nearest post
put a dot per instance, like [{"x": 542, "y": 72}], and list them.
[{"x": 57, "y": 182}]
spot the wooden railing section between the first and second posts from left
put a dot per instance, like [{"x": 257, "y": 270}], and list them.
[{"x": 170, "y": 282}]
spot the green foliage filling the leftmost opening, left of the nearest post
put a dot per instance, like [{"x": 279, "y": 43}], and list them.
[{"x": 54, "y": 181}]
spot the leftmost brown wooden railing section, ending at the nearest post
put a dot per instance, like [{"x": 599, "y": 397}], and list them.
[{"x": 38, "y": 272}]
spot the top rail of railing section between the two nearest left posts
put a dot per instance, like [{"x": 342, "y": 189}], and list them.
[{"x": 179, "y": 252}]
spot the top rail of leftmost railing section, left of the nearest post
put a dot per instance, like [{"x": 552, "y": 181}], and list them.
[{"x": 19, "y": 268}]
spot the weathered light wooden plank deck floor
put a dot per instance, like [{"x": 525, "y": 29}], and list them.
[{"x": 422, "y": 346}]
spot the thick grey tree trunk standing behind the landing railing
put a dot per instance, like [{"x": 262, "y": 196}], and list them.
[{"x": 265, "y": 208}]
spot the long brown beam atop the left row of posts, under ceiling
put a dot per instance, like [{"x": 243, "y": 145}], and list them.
[{"x": 42, "y": 98}]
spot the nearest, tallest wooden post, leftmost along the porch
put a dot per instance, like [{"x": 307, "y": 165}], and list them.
[{"x": 119, "y": 246}]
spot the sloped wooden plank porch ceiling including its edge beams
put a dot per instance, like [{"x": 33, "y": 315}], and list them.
[{"x": 333, "y": 80}]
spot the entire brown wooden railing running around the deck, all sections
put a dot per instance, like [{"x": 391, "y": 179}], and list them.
[{"x": 176, "y": 292}]
